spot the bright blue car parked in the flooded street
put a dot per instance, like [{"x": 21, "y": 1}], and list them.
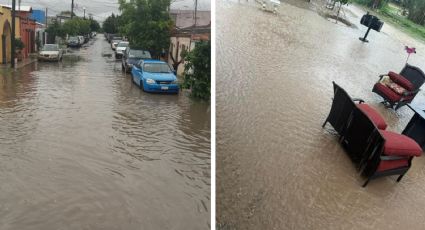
[{"x": 155, "y": 76}]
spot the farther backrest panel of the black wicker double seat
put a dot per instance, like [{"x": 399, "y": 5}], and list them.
[{"x": 342, "y": 107}]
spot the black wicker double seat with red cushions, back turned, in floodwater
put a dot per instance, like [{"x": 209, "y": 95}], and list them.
[{"x": 361, "y": 129}]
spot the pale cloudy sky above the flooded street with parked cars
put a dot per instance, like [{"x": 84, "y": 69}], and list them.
[{"x": 99, "y": 8}]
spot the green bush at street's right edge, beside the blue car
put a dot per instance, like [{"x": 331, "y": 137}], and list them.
[{"x": 197, "y": 71}]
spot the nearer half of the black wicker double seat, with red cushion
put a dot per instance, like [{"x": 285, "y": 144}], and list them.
[{"x": 377, "y": 152}]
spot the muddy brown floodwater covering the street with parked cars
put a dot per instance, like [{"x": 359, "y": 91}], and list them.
[{"x": 81, "y": 147}]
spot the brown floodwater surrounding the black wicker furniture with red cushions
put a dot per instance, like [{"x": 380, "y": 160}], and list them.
[{"x": 276, "y": 167}]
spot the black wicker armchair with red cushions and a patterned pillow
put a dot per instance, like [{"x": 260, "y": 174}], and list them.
[{"x": 399, "y": 89}]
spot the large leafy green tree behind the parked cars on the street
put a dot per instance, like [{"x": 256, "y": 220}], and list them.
[{"x": 147, "y": 24}]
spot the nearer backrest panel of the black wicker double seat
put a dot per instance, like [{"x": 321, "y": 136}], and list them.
[{"x": 361, "y": 137}]
